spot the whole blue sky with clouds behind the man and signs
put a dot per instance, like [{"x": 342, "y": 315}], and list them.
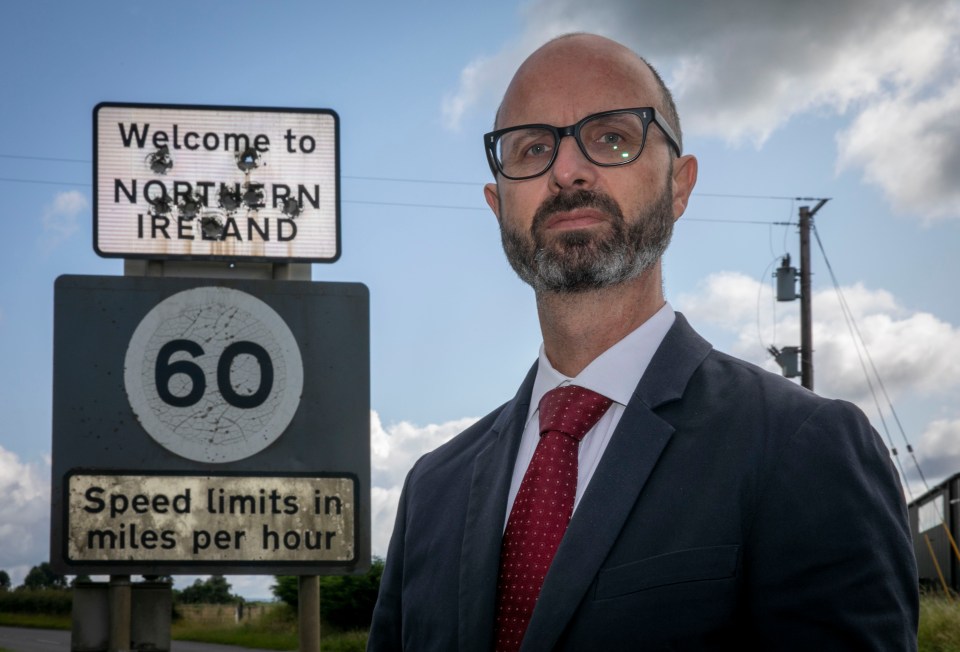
[{"x": 853, "y": 100}]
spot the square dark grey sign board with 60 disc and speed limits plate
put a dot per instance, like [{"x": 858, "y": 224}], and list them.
[{"x": 210, "y": 426}]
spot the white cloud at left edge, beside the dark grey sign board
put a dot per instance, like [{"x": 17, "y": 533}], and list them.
[{"x": 24, "y": 515}]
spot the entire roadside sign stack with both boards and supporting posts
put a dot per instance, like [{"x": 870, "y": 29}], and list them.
[{"x": 206, "y": 422}]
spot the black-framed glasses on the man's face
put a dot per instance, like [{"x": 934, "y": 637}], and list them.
[{"x": 606, "y": 139}]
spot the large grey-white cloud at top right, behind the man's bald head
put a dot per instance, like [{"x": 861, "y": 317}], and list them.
[{"x": 742, "y": 69}]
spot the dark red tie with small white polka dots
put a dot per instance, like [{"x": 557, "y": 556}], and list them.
[{"x": 543, "y": 507}]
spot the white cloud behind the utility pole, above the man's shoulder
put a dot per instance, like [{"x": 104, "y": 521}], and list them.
[{"x": 907, "y": 348}]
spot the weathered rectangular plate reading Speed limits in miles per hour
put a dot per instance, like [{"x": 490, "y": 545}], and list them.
[{"x": 212, "y": 519}]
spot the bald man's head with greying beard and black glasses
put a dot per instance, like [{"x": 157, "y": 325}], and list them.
[{"x": 579, "y": 225}]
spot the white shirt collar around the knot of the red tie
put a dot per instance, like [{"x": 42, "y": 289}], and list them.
[{"x": 616, "y": 372}]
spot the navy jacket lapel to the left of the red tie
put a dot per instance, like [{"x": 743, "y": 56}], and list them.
[{"x": 483, "y": 530}]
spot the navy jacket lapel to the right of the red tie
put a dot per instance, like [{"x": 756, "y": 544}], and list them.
[{"x": 630, "y": 457}]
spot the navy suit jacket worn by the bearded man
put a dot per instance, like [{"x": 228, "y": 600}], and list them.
[{"x": 732, "y": 509}]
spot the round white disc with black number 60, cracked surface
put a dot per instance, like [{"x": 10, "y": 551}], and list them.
[{"x": 213, "y": 374}]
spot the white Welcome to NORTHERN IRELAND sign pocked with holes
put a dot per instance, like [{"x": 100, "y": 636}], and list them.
[{"x": 216, "y": 183}]
